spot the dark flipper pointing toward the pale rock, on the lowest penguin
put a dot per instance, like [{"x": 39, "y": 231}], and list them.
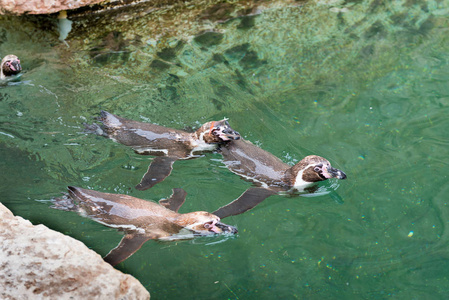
[{"x": 129, "y": 244}]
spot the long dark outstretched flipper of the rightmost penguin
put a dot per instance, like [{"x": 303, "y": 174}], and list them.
[{"x": 249, "y": 199}]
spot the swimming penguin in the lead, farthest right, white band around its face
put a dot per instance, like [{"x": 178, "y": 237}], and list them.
[{"x": 269, "y": 174}]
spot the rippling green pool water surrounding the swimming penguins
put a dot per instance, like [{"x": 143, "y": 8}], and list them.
[{"x": 363, "y": 83}]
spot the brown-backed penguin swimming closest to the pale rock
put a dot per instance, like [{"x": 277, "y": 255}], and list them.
[{"x": 141, "y": 220}]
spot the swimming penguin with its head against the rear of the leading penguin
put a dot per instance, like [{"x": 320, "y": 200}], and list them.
[{"x": 167, "y": 144}]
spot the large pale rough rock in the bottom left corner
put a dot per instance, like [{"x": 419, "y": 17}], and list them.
[{"x": 37, "y": 262}]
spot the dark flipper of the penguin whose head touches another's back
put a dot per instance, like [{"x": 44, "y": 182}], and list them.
[{"x": 159, "y": 169}]
